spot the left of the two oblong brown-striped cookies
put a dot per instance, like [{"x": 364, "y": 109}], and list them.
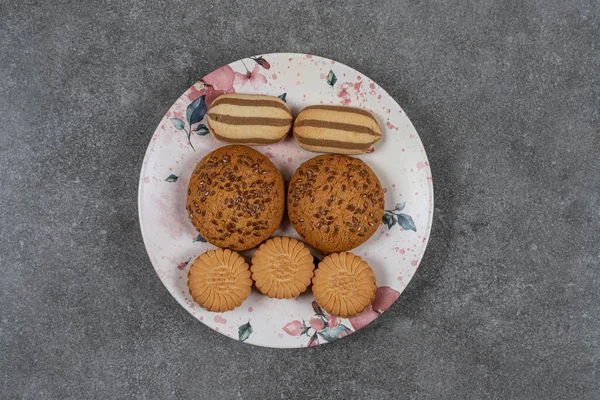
[{"x": 249, "y": 119}]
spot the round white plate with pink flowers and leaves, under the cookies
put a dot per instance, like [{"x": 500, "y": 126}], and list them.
[{"x": 399, "y": 160}]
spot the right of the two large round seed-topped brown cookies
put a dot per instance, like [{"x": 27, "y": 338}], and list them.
[{"x": 335, "y": 202}]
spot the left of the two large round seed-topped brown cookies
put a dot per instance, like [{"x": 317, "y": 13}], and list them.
[{"x": 235, "y": 198}]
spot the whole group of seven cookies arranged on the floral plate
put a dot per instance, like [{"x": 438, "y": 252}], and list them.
[{"x": 236, "y": 200}]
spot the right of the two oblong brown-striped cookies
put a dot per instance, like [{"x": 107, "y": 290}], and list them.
[{"x": 336, "y": 129}]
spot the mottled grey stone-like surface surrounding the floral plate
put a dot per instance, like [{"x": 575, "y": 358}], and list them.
[{"x": 505, "y": 96}]
